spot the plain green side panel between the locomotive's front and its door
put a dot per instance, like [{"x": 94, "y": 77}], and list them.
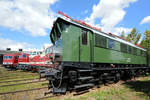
[{"x": 71, "y": 44}]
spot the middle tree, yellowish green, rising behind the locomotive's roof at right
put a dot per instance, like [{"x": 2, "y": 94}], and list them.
[{"x": 134, "y": 36}]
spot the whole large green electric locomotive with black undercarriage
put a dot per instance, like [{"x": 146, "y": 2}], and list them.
[{"x": 86, "y": 56}]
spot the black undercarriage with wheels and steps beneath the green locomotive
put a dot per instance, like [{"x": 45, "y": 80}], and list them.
[{"x": 74, "y": 76}]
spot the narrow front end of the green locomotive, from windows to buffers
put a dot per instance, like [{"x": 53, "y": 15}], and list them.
[{"x": 55, "y": 74}]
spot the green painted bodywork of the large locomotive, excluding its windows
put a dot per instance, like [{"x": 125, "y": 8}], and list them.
[{"x": 70, "y": 40}]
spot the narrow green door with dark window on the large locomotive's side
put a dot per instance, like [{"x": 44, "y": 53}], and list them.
[{"x": 85, "y": 51}]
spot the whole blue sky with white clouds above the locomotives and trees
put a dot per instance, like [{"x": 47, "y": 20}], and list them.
[{"x": 27, "y": 24}]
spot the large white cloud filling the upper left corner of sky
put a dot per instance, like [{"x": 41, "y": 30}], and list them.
[{"x": 34, "y": 16}]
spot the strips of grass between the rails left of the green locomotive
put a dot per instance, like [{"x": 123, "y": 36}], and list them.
[{"x": 20, "y": 75}]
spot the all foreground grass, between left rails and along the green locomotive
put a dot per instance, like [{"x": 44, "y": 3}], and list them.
[{"x": 138, "y": 89}]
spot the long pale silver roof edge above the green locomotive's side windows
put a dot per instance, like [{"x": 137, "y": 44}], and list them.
[{"x": 101, "y": 33}]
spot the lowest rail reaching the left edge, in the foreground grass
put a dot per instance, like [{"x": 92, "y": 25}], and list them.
[{"x": 4, "y": 93}]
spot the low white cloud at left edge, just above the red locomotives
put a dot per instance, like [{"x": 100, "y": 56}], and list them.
[{"x": 7, "y": 43}]
